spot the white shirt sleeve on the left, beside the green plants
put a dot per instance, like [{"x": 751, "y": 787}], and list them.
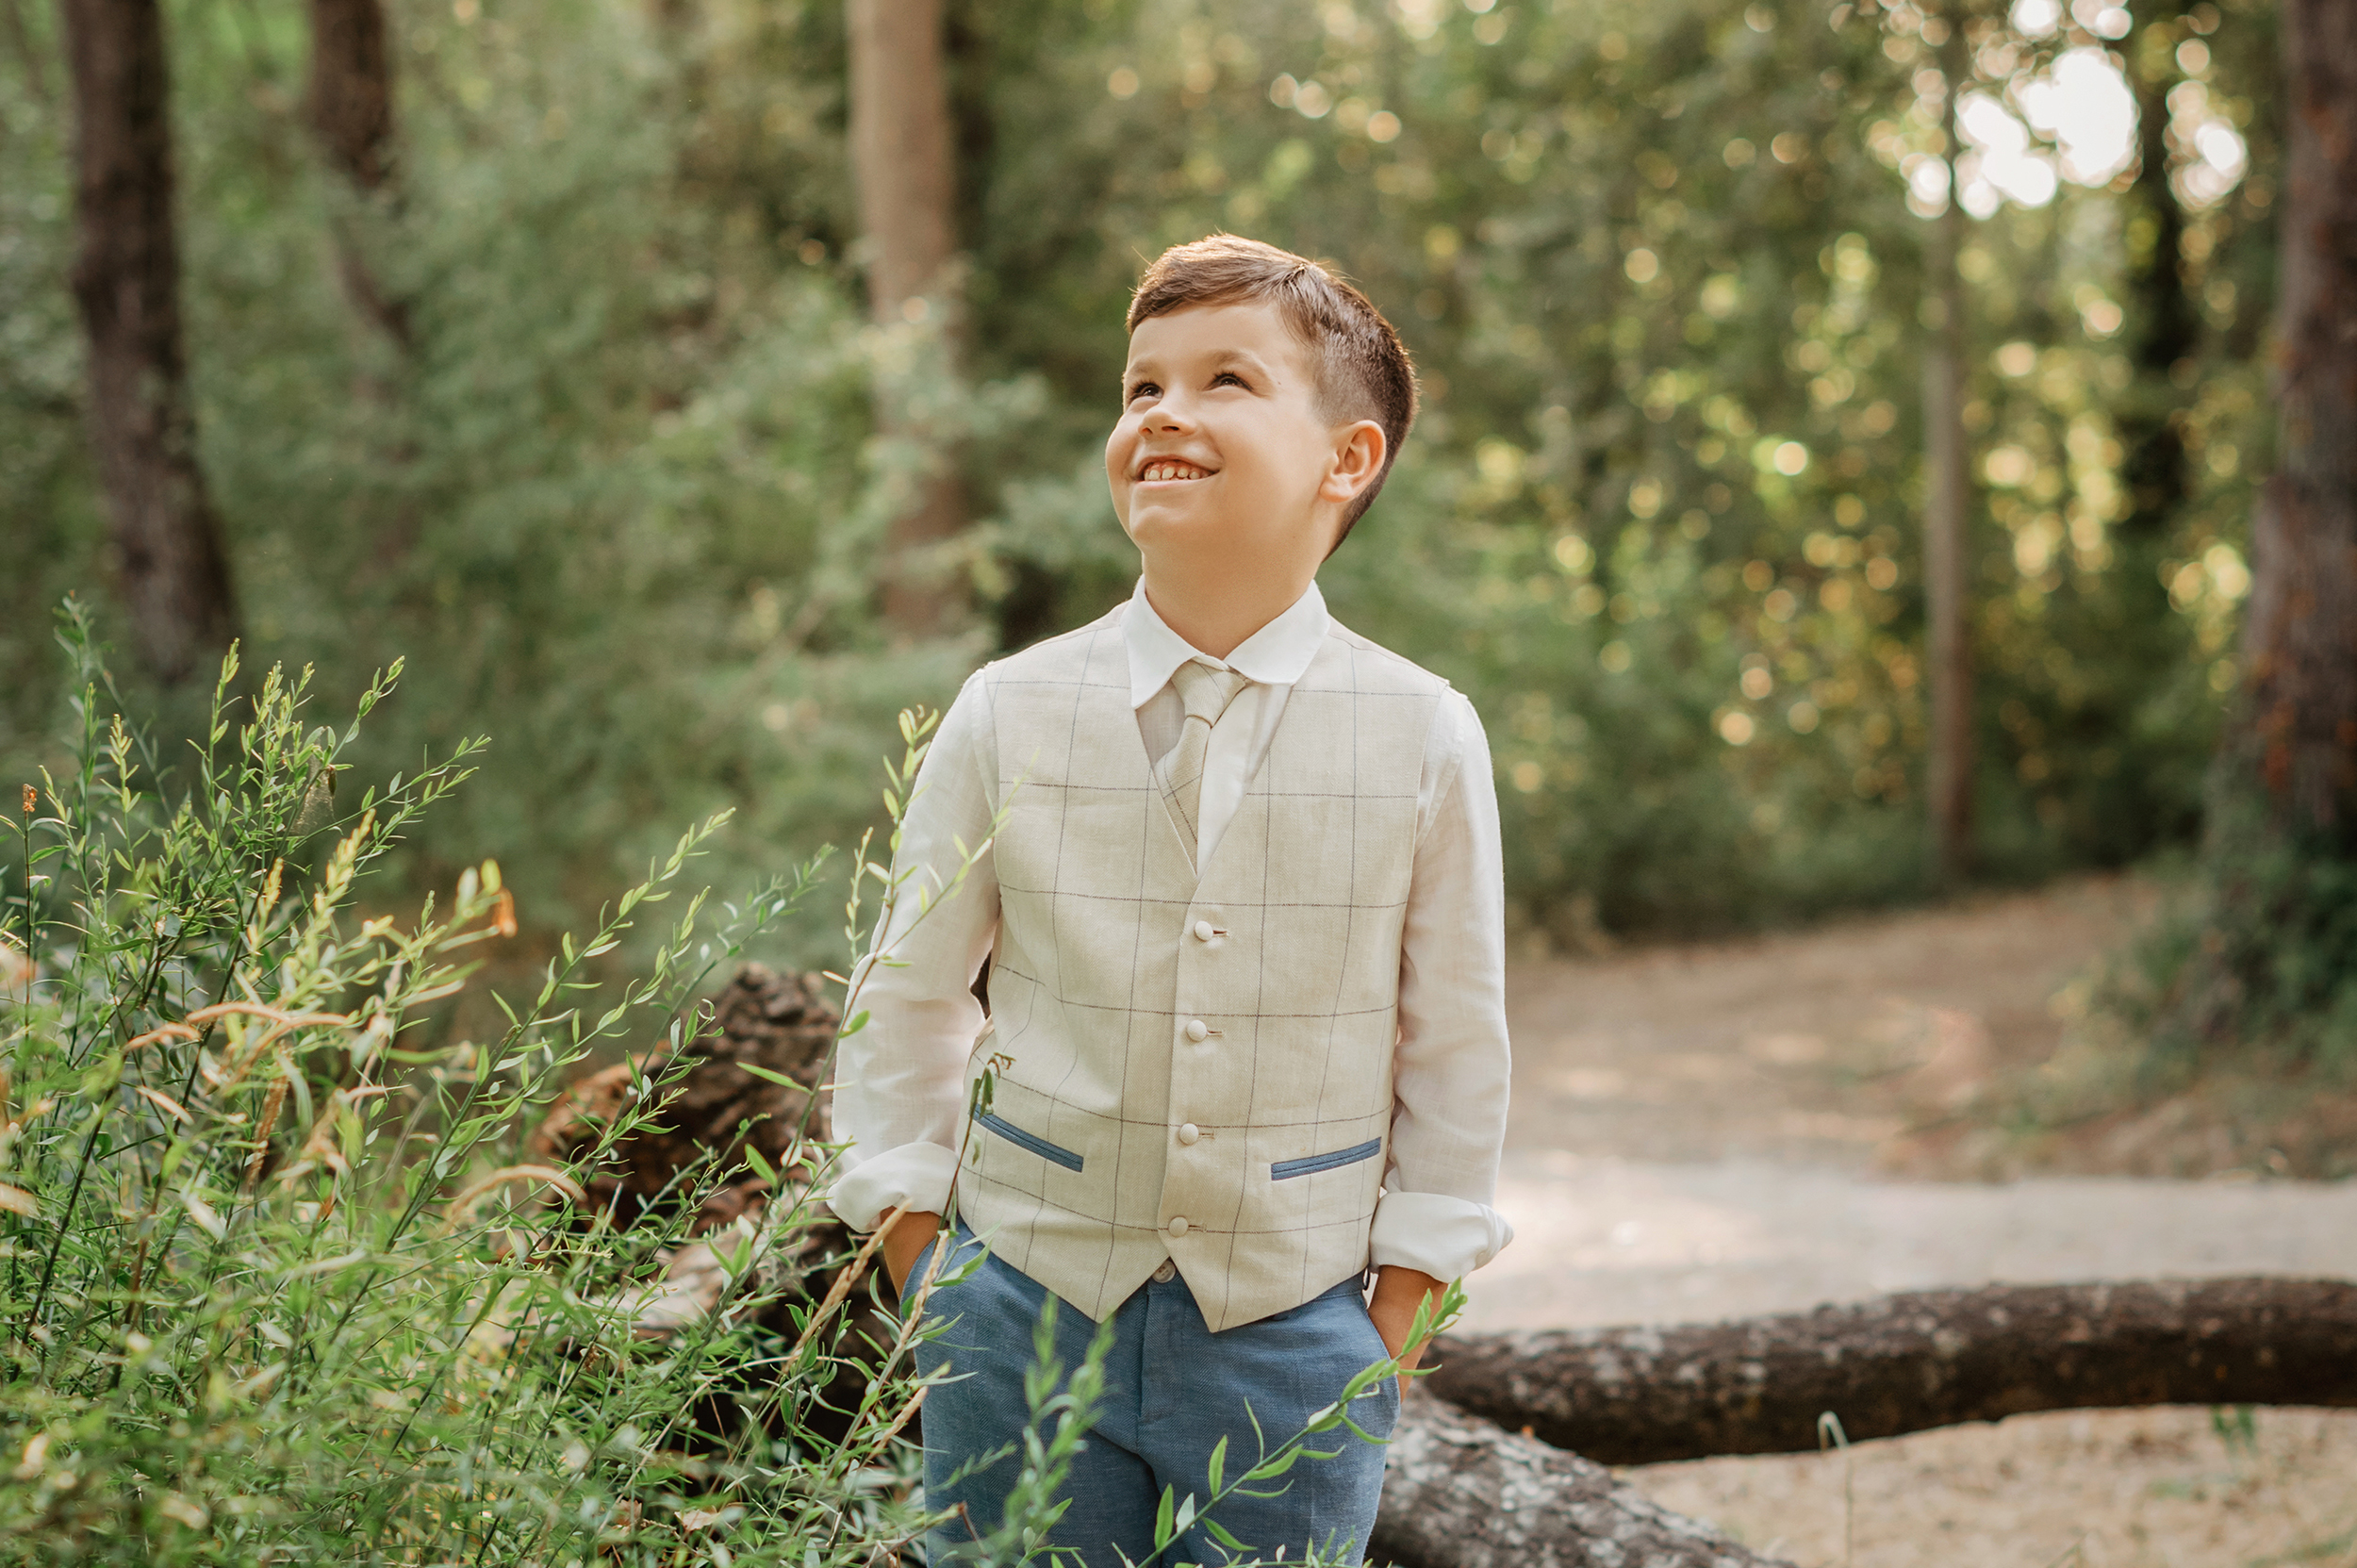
[{"x": 899, "y": 1083}]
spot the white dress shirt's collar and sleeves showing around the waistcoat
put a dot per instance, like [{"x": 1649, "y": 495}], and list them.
[{"x": 899, "y": 1083}]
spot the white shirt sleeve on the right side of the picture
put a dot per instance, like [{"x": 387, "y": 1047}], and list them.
[{"x": 1453, "y": 1062}]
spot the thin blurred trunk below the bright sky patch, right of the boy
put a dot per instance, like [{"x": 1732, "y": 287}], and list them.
[{"x": 1946, "y": 496}]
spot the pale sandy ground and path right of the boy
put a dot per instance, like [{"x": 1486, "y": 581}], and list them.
[{"x": 1703, "y": 1133}]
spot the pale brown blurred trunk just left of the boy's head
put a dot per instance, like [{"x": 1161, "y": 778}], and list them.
[{"x": 904, "y": 164}]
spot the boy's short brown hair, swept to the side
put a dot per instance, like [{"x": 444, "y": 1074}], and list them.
[{"x": 1361, "y": 364}]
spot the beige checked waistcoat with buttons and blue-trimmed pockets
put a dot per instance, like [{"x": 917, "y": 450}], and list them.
[{"x": 1194, "y": 1067}]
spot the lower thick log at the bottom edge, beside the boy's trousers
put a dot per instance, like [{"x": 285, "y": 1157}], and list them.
[{"x": 1463, "y": 1494}]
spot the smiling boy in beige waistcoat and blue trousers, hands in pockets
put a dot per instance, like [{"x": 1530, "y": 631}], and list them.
[{"x": 1246, "y": 923}]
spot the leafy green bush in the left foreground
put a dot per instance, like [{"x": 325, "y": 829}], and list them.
[{"x": 279, "y": 1282}]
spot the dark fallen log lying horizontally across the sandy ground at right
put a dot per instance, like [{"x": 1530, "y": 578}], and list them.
[{"x": 1910, "y": 1362}]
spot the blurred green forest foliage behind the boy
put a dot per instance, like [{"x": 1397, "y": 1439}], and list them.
[{"x": 579, "y": 404}]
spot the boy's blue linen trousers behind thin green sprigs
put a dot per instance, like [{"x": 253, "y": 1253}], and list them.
[{"x": 1173, "y": 1392}]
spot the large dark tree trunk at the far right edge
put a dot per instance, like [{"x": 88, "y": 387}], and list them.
[{"x": 2278, "y": 956}]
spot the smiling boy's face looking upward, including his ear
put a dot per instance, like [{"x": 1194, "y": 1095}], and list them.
[{"x": 1222, "y": 454}]
